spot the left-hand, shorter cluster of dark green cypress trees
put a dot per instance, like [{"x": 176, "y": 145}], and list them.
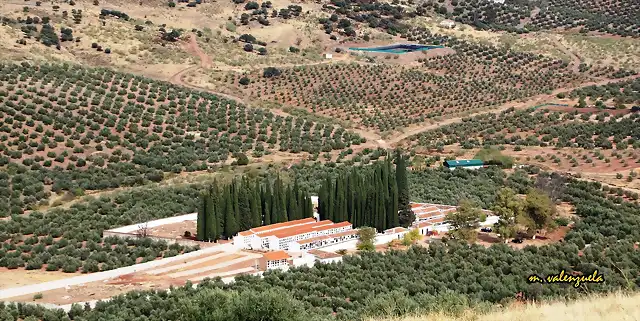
[{"x": 246, "y": 203}]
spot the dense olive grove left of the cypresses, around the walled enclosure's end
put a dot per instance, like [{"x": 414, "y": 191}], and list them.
[{"x": 85, "y": 222}]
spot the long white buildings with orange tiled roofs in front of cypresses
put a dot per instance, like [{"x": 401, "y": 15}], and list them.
[{"x": 282, "y": 236}]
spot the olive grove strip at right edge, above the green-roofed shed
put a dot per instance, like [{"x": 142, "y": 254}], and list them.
[{"x": 554, "y": 128}]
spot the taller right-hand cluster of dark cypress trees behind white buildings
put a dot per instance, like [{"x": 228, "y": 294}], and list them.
[{"x": 371, "y": 197}]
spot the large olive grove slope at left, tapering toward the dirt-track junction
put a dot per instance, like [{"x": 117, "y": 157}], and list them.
[{"x": 66, "y": 128}]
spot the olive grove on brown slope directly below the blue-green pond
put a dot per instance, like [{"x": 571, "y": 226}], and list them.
[{"x": 386, "y": 97}]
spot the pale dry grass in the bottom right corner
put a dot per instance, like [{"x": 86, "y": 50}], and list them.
[{"x": 613, "y": 307}]
